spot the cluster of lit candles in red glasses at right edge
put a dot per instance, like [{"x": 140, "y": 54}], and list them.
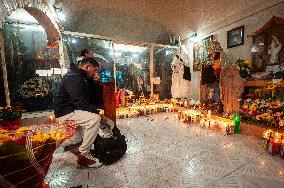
[{"x": 274, "y": 142}]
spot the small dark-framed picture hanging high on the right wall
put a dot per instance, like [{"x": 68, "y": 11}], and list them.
[{"x": 235, "y": 37}]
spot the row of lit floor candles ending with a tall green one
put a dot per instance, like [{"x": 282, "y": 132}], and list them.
[{"x": 224, "y": 125}]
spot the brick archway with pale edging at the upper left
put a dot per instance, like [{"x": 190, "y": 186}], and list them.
[{"x": 43, "y": 12}]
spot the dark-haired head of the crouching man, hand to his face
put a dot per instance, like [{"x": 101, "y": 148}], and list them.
[{"x": 90, "y": 66}]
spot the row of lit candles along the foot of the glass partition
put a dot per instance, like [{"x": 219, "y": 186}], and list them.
[{"x": 136, "y": 111}]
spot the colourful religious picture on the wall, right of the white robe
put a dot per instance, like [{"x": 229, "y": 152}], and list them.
[{"x": 200, "y": 52}]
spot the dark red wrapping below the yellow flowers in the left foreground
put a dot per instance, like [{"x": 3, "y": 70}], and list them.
[{"x": 18, "y": 169}]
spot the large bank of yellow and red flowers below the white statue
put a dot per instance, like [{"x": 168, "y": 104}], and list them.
[{"x": 261, "y": 106}]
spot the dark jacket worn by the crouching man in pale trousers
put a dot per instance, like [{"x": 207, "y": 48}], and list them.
[{"x": 73, "y": 94}]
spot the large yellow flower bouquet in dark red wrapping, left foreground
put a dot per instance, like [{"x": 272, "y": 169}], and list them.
[{"x": 26, "y": 153}]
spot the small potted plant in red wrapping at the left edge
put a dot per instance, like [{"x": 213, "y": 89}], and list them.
[{"x": 10, "y": 118}]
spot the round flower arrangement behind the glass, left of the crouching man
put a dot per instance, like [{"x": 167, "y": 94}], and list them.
[{"x": 34, "y": 87}]
